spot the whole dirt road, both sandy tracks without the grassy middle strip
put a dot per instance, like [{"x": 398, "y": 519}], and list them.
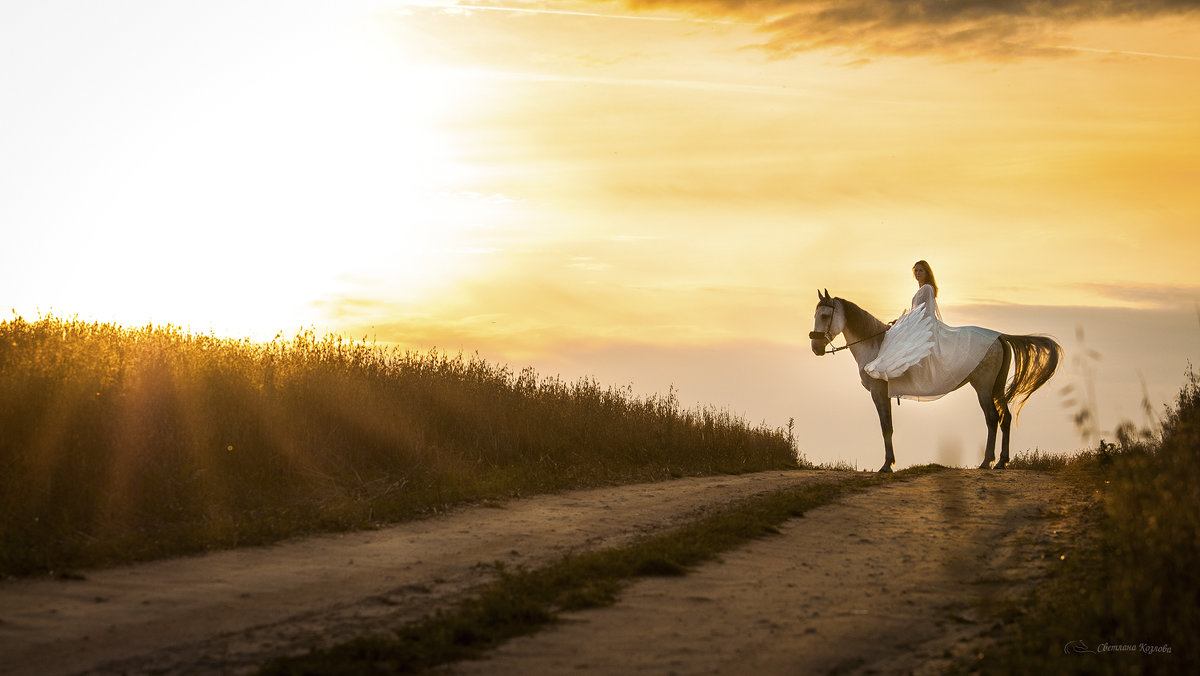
[{"x": 889, "y": 579}]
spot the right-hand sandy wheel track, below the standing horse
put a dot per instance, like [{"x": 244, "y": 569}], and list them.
[{"x": 895, "y": 581}]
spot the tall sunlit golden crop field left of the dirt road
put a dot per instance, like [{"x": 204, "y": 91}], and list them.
[{"x": 121, "y": 445}]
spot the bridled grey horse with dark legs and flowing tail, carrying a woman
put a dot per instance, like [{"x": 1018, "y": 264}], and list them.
[{"x": 1035, "y": 358}]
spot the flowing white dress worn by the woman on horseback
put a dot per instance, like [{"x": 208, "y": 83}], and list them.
[{"x": 925, "y": 360}]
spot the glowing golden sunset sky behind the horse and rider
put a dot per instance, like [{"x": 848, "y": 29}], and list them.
[{"x": 649, "y": 193}]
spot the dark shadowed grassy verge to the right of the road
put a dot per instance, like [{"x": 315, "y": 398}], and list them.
[{"x": 1126, "y": 599}]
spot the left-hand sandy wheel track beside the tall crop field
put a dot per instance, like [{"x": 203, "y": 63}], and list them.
[{"x": 230, "y": 612}]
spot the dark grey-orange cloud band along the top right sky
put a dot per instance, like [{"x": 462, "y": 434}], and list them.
[{"x": 955, "y": 28}]
